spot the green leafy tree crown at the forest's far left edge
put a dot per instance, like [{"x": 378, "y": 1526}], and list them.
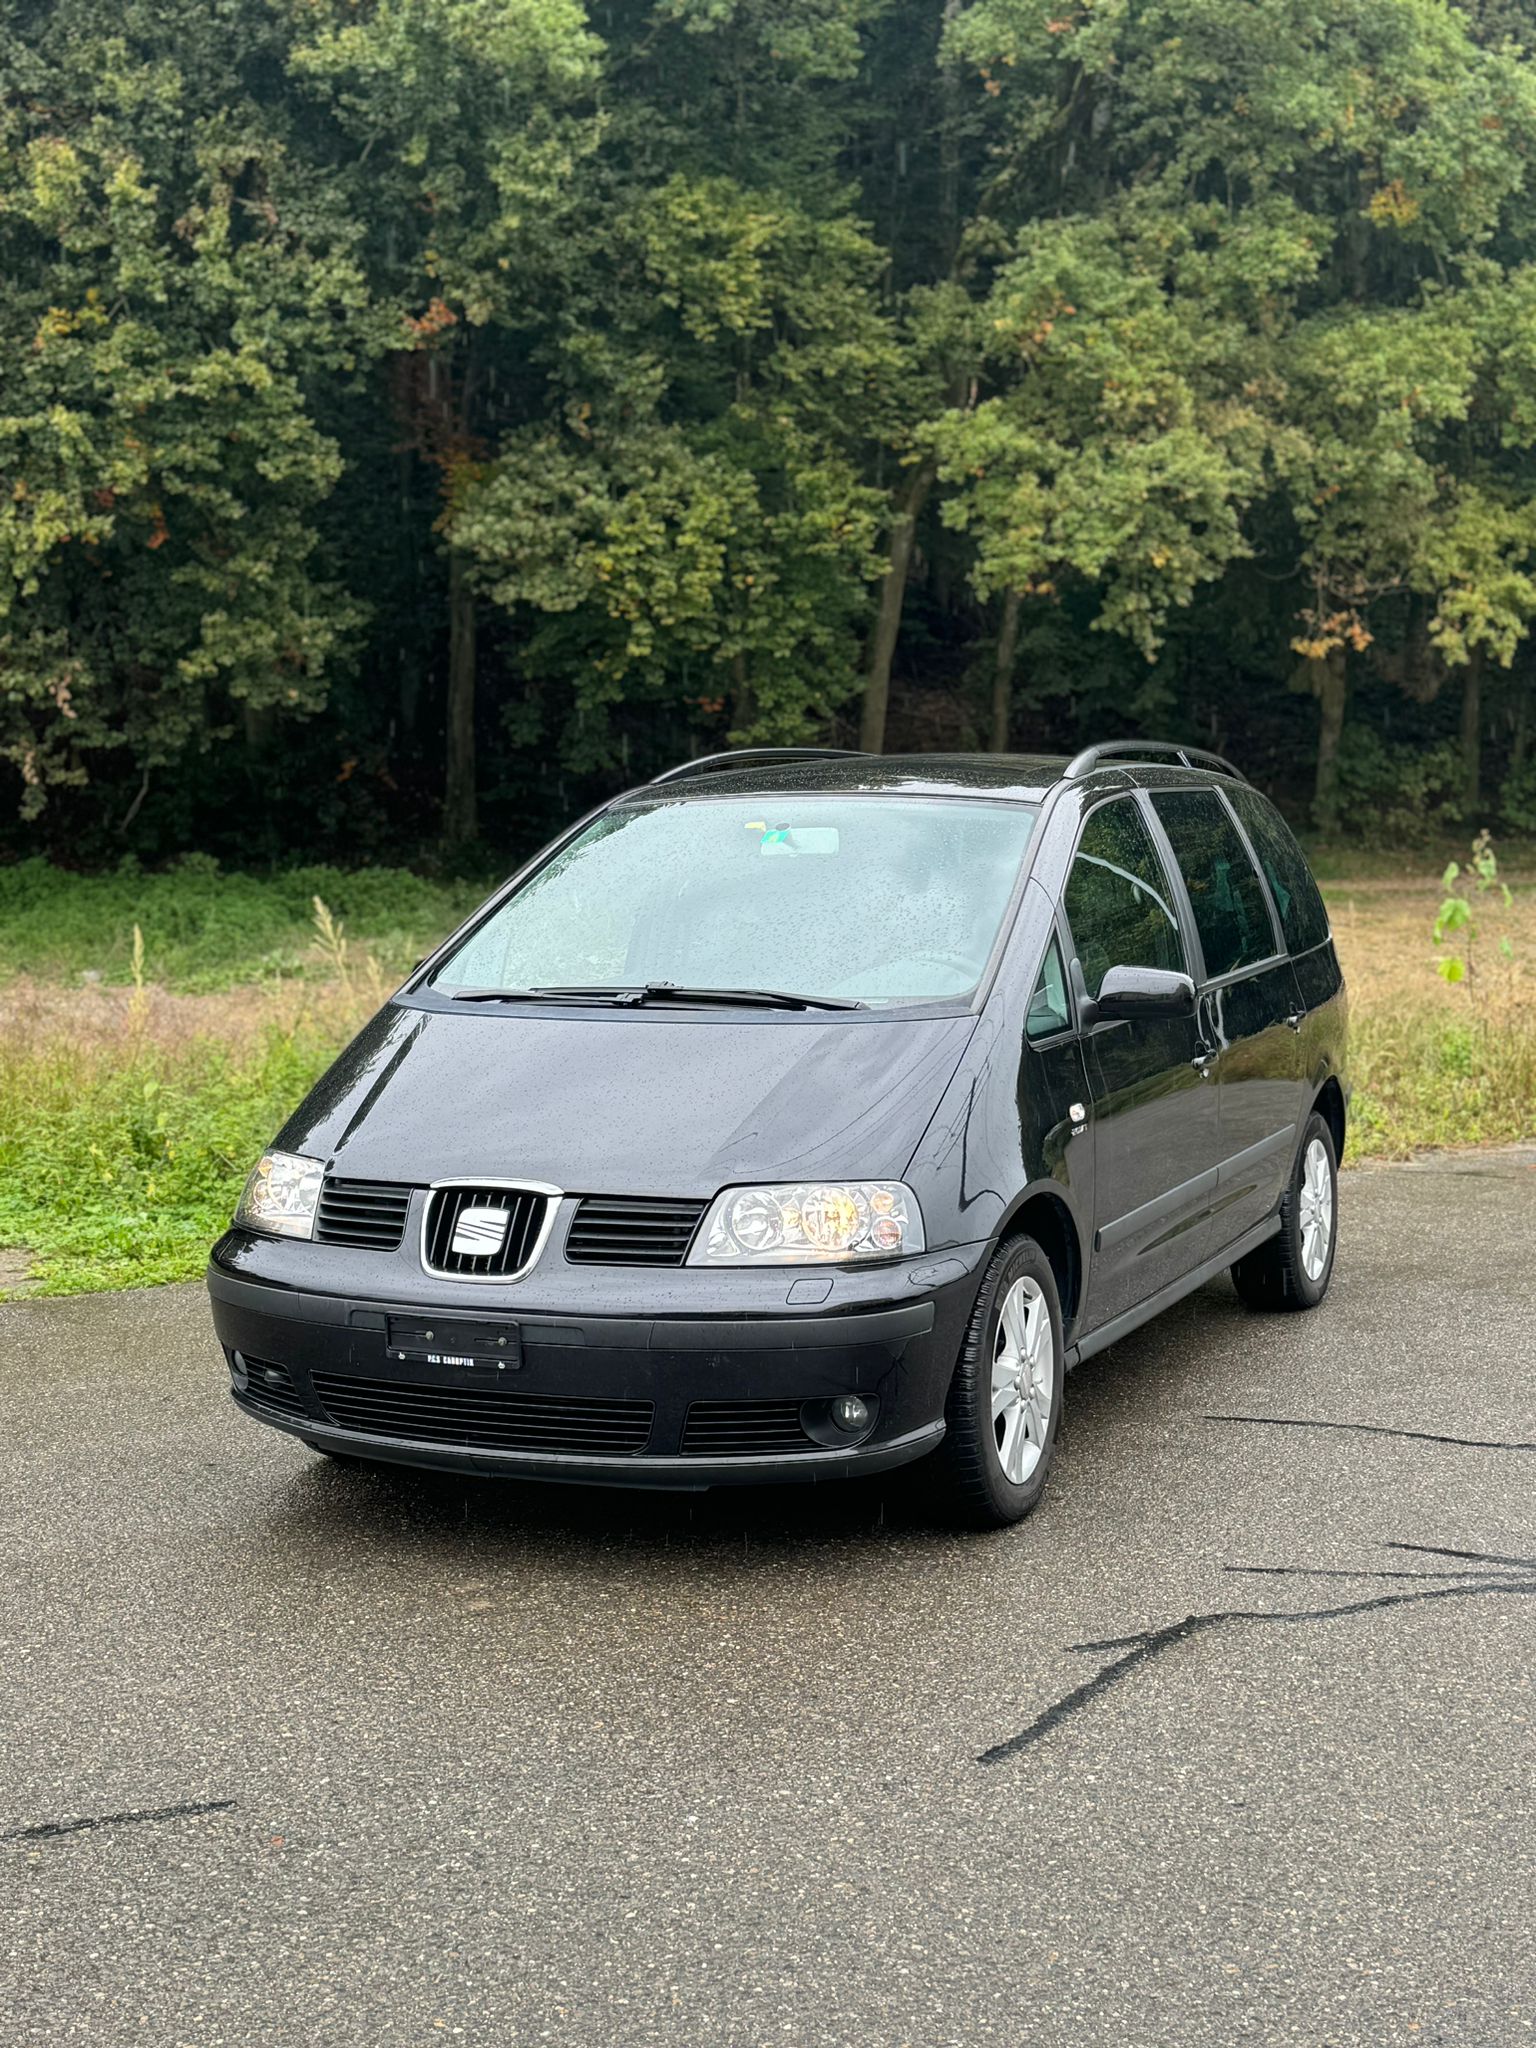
[{"x": 175, "y": 280}]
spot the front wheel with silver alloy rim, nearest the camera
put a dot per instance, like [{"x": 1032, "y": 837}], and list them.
[{"x": 1005, "y": 1400}]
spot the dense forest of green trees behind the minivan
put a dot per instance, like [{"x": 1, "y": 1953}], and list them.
[{"x": 421, "y": 417}]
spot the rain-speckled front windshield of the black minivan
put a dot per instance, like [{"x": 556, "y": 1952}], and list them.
[{"x": 869, "y": 898}]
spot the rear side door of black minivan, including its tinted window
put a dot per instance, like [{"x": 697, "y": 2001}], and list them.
[{"x": 1250, "y": 1009}]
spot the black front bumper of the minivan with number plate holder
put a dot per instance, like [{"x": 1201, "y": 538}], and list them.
[{"x": 601, "y": 1398}]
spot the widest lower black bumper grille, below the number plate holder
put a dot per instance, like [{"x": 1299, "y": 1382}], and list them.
[{"x": 474, "y": 1418}]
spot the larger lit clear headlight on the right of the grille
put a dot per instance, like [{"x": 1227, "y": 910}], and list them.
[{"x": 808, "y": 1224}]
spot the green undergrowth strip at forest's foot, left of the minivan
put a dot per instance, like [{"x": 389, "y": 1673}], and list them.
[{"x": 210, "y": 931}]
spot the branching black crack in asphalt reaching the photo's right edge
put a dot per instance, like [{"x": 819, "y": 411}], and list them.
[{"x": 1150, "y": 1644}]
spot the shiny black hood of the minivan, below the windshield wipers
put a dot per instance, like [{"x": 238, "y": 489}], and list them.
[{"x": 628, "y": 1103}]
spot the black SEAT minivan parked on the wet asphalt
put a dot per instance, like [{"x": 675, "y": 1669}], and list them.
[{"x": 802, "y": 1115}]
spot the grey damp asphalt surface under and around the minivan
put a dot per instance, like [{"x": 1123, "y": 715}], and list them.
[{"x": 1230, "y": 1744}]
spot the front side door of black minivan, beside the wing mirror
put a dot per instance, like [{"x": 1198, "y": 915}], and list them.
[{"x": 1156, "y": 1132}]
